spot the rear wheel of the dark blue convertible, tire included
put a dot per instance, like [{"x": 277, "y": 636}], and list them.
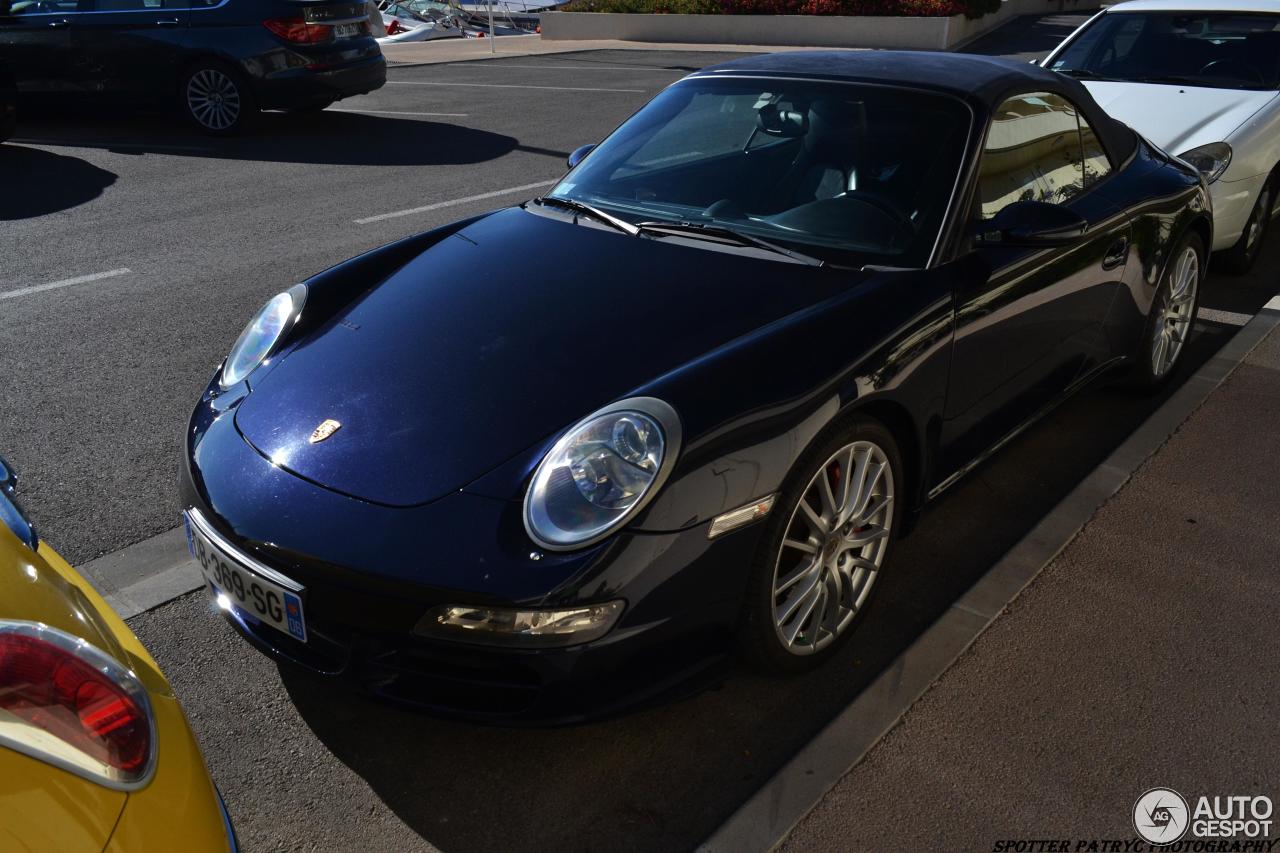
[{"x": 1173, "y": 314}]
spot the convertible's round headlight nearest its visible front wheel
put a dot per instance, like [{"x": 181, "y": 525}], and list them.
[{"x": 601, "y": 473}]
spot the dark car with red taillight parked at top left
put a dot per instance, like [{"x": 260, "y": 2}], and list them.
[{"x": 220, "y": 61}]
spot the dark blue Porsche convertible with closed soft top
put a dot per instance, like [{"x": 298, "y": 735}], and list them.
[{"x": 543, "y": 462}]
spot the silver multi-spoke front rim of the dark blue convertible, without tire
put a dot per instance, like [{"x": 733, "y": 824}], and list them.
[{"x": 834, "y": 548}]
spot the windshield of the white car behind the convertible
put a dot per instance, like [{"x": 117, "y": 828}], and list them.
[{"x": 1220, "y": 51}]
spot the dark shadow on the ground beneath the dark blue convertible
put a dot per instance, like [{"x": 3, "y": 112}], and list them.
[{"x": 668, "y": 777}]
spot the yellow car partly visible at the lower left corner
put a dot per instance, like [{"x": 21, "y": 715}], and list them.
[{"x": 95, "y": 751}]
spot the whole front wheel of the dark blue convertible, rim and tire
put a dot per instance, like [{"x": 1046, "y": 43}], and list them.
[{"x": 833, "y": 532}]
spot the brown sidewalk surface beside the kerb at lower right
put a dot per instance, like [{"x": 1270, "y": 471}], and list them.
[{"x": 1146, "y": 655}]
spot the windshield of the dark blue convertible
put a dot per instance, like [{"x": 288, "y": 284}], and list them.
[{"x": 847, "y": 174}]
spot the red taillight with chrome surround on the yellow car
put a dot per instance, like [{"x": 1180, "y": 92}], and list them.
[{"x": 71, "y": 705}]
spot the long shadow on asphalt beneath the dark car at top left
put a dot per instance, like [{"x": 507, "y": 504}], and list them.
[{"x": 332, "y": 138}]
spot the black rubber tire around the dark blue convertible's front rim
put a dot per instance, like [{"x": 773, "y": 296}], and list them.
[{"x": 760, "y": 633}]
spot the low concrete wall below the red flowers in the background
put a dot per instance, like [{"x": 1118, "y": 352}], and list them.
[{"x": 808, "y": 31}]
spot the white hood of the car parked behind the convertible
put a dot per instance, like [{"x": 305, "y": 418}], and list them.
[{"x": 1178, "y": 118}]
